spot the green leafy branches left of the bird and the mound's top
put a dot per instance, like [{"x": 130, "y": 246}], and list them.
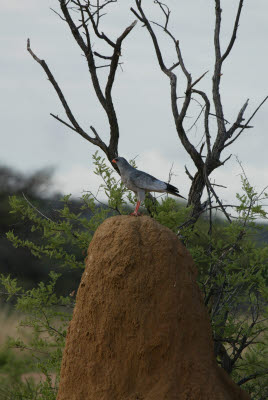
[{"x": 66, "y": 238}]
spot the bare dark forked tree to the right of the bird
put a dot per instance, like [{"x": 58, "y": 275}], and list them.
[{"x": 208, "y": 157}]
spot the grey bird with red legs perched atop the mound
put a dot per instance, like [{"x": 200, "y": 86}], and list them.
[{"x": 140, "y": 182}]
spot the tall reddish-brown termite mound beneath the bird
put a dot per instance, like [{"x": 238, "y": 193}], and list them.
[{"x": 140, "y": 330}]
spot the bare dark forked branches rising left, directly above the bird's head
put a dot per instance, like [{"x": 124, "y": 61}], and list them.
[{"x": 79, "y": 14}]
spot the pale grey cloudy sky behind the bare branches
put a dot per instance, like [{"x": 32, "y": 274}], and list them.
[{"x": 31, "y": 139}]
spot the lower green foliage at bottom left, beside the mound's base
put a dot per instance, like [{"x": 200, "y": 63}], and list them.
[{"x": 48, "y": 316}]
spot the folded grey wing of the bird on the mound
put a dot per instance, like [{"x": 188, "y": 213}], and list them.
[{"x": 144, "y": 181}]
